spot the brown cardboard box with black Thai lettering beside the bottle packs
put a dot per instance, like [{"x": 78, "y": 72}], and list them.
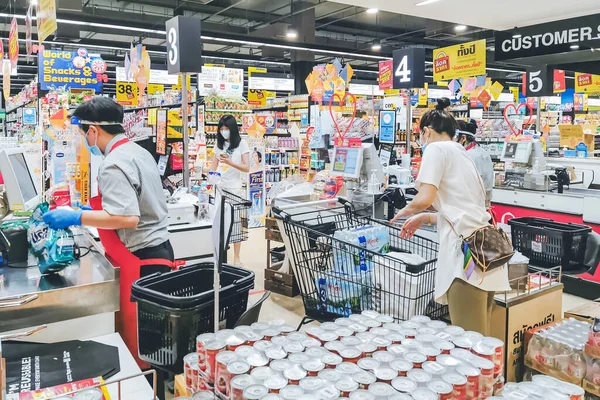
[{"x": 511, "y": 319}]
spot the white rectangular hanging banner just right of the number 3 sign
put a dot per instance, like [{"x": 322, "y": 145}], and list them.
[{"x": 224, "y": 81}]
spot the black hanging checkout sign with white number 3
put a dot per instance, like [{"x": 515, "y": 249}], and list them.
[{"x": 184, "y": 47}]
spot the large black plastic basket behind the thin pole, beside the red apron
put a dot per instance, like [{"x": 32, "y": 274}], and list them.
[{"x": 175, "y": 307}]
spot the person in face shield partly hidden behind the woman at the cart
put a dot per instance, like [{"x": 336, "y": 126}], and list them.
[{"x": 481, "y": 158}]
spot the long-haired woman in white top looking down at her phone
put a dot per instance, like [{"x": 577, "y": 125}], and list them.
[{"x": 232, "y": 160}]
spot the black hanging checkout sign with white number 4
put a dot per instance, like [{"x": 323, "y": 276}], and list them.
[{"x": 409, "y": 68}]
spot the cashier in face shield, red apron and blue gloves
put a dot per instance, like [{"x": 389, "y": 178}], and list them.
[{"x": 130, "y": 211}]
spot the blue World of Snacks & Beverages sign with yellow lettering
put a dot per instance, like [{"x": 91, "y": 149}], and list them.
[{"x": 71, "y": 70}]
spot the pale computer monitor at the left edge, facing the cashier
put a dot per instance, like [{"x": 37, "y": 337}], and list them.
[{"x": 19, "y": 183}]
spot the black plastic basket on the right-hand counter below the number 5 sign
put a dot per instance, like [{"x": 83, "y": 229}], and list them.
[{"x": 548, "y": 243}]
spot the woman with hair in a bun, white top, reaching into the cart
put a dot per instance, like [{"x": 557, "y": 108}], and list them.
[{"x": 448, "y": 181}]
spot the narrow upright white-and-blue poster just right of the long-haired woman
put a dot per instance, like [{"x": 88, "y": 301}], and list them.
[{"x": 256, "y": 183}]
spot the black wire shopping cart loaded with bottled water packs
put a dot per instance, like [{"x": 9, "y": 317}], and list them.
[{"x": 338, "y": 277}]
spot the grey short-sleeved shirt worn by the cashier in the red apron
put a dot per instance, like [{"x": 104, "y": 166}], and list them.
[{"x": 130, "y": 185}]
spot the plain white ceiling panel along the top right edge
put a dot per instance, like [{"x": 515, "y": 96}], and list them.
[{"x": 490, "y": 14}]
